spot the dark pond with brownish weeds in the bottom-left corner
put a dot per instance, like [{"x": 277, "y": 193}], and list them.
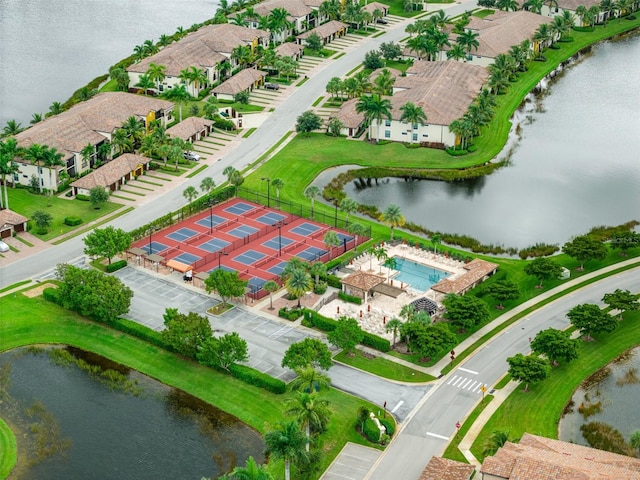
[{"x": 104, "y": 434}]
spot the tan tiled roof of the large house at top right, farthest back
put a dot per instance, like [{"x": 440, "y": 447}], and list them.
[{"x": 500, "y": 31}]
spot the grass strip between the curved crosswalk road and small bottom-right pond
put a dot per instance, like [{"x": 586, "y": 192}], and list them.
[{"x": 545, "y": 401}]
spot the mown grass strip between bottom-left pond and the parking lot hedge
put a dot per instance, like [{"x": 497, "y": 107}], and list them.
[{"x": 25, "y": 321}]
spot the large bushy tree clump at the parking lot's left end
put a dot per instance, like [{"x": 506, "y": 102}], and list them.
[{"x": 92, "y": 294}]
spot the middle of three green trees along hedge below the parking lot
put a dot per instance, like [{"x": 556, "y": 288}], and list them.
[{"x": 185, "y": 333}]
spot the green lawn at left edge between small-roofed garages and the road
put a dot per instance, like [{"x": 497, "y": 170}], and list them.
[{"x": 25, "y": 203}]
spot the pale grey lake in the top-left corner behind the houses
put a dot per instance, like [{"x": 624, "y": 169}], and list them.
[{"x": 50, "y": 48}]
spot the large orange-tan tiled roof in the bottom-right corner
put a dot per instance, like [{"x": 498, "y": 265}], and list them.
[{"x": 539, "y": 458}]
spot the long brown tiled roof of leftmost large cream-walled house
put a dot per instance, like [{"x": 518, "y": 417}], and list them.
[{"x": 90, "y": 121}]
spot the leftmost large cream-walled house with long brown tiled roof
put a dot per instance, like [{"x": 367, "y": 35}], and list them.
[{"x": 87, "y": 123}]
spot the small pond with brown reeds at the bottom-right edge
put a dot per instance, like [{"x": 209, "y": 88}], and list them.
[{"x": 617, "y": 390}]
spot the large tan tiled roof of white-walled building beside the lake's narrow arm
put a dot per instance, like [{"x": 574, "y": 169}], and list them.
[{"x": 444, "y": 90}]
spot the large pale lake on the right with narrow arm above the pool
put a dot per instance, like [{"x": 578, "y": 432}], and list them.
[{"x": 575, "y": 167}]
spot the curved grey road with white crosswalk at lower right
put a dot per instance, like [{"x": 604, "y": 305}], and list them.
[{"x": 431, "y": 426}]
